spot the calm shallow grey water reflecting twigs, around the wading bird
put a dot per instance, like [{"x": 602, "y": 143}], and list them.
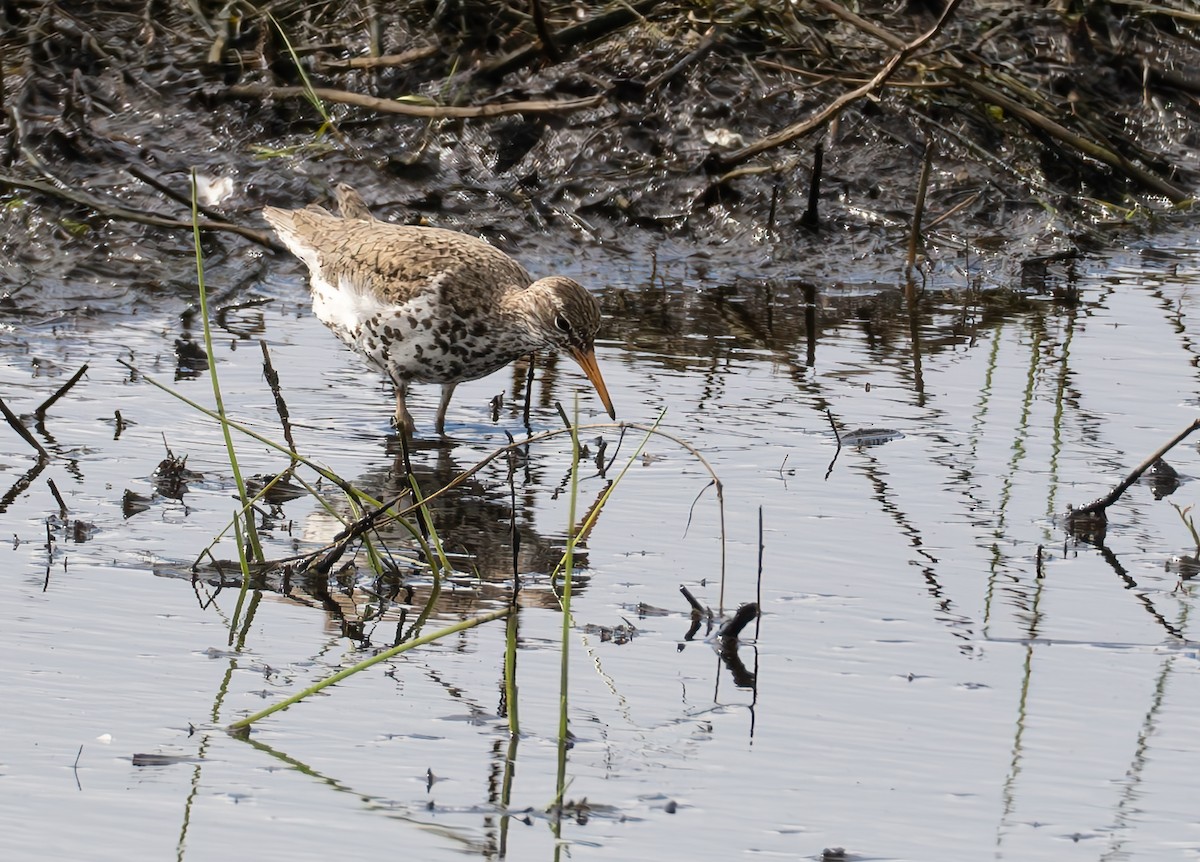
[{"x": 941, "y": 673}]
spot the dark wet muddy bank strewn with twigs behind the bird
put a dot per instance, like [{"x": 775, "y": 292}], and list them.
[{"x": 655, "y": 130}]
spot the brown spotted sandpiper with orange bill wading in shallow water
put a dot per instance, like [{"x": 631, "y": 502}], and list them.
[{"x": 427, "y": 306}]
